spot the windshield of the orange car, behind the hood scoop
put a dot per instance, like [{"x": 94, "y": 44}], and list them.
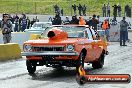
[{"x": 73, "y": 31}]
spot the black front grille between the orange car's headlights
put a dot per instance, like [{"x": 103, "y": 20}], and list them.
[{"x": 48, "y": 48}]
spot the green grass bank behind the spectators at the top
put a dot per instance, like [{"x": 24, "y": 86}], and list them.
[{"x": 46, "y": 6}]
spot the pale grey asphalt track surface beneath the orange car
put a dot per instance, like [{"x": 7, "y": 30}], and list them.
[{"x": 13, "y": 74}]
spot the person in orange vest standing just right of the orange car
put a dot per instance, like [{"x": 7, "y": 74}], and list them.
[{"x": 106, "y": 26}]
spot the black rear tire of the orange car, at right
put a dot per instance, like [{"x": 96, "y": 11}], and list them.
[{"x": 99, "y": 63}]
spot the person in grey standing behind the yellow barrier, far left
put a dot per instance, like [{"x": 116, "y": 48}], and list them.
[{"x": 6, "y": 27}]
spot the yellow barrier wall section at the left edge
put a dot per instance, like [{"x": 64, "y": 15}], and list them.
[{"x": 9, "y": 51}]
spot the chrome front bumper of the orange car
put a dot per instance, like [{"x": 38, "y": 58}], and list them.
[{"x": 50, "y": 53}]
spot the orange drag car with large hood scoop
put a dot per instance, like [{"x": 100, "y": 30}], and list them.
[{"x": 65, "y": 45}]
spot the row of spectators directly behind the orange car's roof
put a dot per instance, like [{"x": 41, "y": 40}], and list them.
[{"x": 76, "y": 21}]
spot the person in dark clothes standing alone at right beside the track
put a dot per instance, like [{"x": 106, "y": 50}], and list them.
[{"x": 123, "y": 31}]
